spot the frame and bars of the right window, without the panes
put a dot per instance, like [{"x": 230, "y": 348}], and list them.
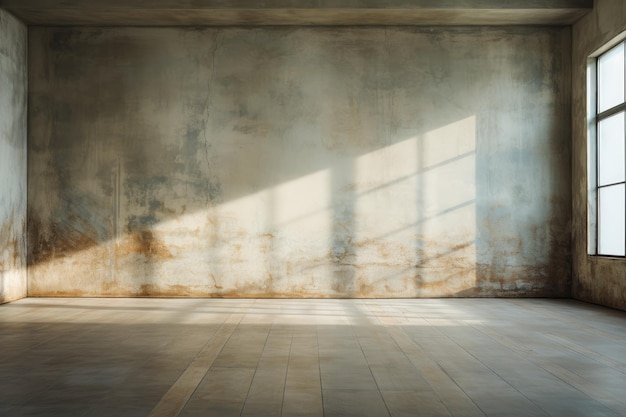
[{"x": 593, "y": 154}]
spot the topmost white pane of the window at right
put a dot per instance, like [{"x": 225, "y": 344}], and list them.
[{"x": 611, "y": 78}]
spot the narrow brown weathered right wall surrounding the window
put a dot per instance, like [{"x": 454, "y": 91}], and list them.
[{"x": 597, "y": 279}]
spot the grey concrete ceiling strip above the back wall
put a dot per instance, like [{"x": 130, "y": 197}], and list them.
[{"x": 296, "y": 12}]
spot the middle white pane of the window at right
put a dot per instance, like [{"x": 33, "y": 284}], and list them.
[{"x": 611, "y": 162}]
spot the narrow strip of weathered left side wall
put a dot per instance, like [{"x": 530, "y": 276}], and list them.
[{"x": 13, "y": 79}]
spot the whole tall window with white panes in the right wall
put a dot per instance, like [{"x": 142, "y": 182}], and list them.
[{"x": 609, "y": 151}]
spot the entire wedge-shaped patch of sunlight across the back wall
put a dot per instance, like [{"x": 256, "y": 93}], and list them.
[{"x": 399, "y": 221}]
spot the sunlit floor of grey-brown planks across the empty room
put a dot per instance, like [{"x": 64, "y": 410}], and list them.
[{"x": 211, "y": 357}]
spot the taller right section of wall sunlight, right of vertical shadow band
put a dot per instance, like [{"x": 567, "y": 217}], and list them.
[{"x": 418, "y": 199}]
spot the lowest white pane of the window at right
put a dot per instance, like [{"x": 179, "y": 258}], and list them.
[{"x": 611, "y": 227}]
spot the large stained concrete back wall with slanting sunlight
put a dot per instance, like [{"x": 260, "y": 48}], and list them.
[{"x": 353, "y": 162}]
